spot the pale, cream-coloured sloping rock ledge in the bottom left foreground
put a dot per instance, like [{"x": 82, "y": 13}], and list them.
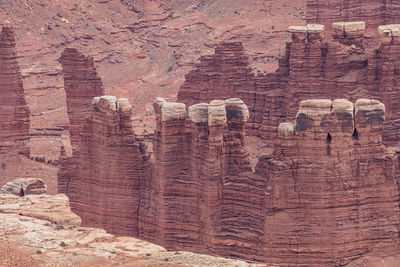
[{"x": 42, "y": 231}]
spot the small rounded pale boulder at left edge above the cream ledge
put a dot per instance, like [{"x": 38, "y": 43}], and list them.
[{"x": 25, "y": 186}]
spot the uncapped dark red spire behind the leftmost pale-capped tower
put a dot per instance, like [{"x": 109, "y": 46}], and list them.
[{"x": 81, "y": 84}]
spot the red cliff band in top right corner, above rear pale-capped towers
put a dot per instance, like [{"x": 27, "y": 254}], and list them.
[{"x": 373, "y": 12}]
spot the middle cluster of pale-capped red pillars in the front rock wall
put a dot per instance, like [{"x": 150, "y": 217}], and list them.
[{"x": 203, "y": 179}]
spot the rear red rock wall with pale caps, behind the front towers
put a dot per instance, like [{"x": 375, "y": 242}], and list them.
[{"x": 313, "y": 66}]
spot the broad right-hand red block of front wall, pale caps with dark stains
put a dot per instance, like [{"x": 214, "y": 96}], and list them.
[{"x": 332, "y": 194}]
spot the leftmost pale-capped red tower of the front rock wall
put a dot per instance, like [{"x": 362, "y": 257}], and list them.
[{"x": 105, "y": 177}]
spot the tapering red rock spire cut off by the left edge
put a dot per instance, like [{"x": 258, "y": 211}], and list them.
[{"x": 14, "y": 114}]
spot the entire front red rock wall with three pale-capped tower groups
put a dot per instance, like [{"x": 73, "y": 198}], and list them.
[{"x": 326, "y": 196}]
